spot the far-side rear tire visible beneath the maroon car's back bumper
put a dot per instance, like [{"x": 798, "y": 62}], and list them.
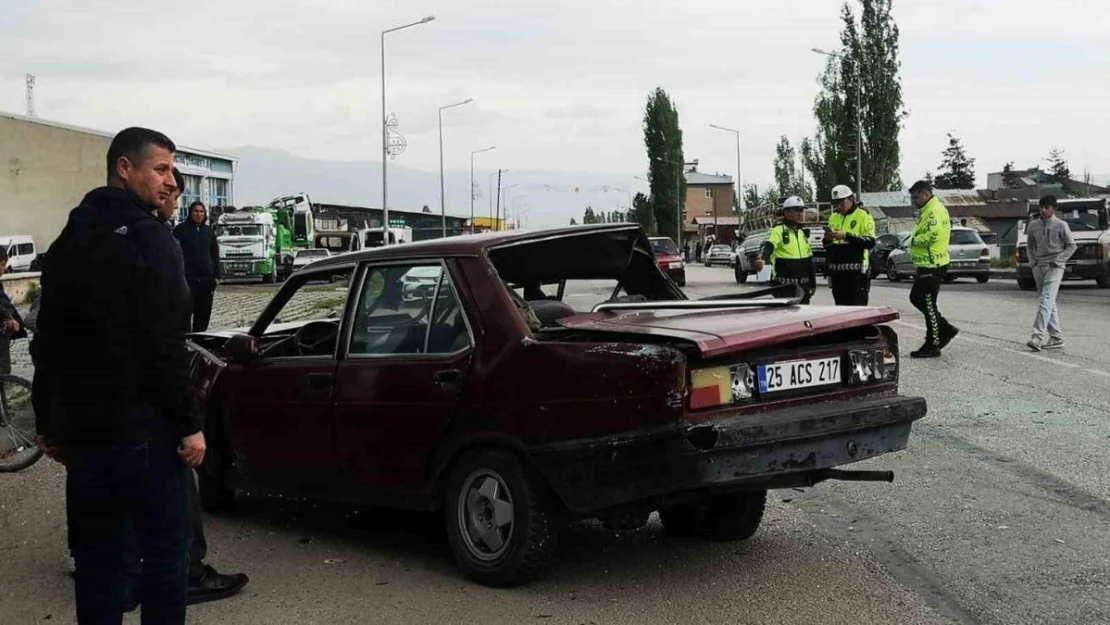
[{"x": 733, "y": 517}]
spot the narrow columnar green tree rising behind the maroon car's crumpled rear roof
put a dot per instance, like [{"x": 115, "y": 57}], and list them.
[{"x": 664, "y": 142}]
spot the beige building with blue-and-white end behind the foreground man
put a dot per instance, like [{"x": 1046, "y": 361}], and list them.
[{"x": 51, "y": 166}]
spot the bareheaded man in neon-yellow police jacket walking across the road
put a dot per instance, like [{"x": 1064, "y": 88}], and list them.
[{"x": 929, "y": 250}]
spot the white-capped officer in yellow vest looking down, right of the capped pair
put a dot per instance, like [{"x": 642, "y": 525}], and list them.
[{"x": 849, "y": 240}]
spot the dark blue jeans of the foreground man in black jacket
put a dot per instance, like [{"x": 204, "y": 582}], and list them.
[{"x": 125, "y": 503}]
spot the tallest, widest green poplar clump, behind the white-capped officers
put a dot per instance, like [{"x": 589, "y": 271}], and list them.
[{"x": 867, "y": 65}]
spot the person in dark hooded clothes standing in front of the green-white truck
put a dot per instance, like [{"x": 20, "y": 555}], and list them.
[{"x": 201, "y": 253}]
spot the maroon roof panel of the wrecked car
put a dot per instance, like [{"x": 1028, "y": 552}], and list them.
[{"x": 467, "y": 245}]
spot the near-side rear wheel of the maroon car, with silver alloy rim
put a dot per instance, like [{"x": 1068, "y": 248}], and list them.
[{"x": 481, "y": 483}]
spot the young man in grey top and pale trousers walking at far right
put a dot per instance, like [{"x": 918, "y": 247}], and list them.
[{"x": 1051, "y": 246}]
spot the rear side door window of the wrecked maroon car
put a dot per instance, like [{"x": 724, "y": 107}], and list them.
[{"x": 408, "y": 310}]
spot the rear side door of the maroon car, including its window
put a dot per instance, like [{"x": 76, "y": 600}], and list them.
[{"x": 398, "y": 386}]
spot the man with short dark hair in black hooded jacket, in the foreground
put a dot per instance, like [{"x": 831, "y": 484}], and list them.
[{"x": 112, "y": 391}]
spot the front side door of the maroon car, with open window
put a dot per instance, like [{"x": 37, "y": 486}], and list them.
[{"x": 278, "y": 409}]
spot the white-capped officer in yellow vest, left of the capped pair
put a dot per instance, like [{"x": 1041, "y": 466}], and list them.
[{"x": 789, "y": 253}]
